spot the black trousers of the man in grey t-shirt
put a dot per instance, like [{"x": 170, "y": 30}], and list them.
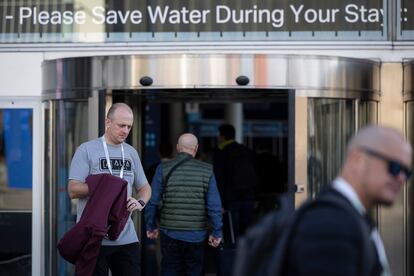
[{"x": 121, "y": 259}]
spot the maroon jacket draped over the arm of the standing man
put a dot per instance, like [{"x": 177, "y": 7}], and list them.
[{"x": 105, "y": 213}]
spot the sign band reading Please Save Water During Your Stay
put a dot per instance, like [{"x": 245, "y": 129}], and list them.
[{"x": 185, "y": 16}]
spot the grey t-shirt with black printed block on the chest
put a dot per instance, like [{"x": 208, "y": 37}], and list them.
[{"x": 90, "y": 158}]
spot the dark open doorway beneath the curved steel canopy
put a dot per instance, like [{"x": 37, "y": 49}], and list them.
[{"x": 260, "y": 117}]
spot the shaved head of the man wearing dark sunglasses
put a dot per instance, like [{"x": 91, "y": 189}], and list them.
[{"x": 375, "y": 164}]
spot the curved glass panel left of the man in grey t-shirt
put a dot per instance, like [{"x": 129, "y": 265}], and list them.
[{"x": 69, "y": 129}]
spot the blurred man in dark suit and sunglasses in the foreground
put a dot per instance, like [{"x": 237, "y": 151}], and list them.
[{"x": 329, "y": 239}]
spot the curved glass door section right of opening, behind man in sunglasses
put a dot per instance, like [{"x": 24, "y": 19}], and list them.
[{"x": 324, "y": 127}]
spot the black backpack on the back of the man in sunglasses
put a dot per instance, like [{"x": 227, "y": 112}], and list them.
[{"x": 262, "y": 251}]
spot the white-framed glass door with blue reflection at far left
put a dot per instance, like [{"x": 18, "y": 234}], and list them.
[{"x": 21, "y": 236}]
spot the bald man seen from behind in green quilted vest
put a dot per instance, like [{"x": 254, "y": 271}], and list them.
[{"x": 185, "y": 195}]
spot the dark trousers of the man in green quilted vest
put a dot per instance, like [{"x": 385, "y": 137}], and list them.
[{"x": 181, "y": 258}]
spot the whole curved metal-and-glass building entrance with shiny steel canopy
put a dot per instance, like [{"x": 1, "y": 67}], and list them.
[{"x": 295, "y": 112}]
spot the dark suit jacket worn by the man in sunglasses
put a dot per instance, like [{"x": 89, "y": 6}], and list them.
[{"x": 329, "y": 240}]
